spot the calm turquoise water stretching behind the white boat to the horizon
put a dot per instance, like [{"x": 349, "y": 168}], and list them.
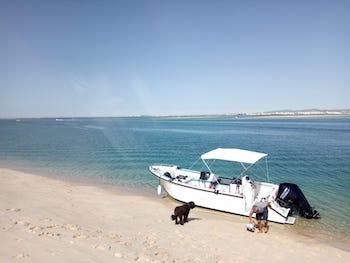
[{"x": 314, "y": 153}]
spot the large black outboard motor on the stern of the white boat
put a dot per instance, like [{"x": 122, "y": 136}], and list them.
[{"x": 290, "y": 196}]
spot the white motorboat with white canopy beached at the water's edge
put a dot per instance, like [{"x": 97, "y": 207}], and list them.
[{"x": 232, "y": 195}]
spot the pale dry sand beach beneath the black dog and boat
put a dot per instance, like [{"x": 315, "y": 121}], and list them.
[{"x": 48, "y": 220}]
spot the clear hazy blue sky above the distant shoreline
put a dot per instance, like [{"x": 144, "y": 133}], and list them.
[{"x": 93, "y": 58}]
